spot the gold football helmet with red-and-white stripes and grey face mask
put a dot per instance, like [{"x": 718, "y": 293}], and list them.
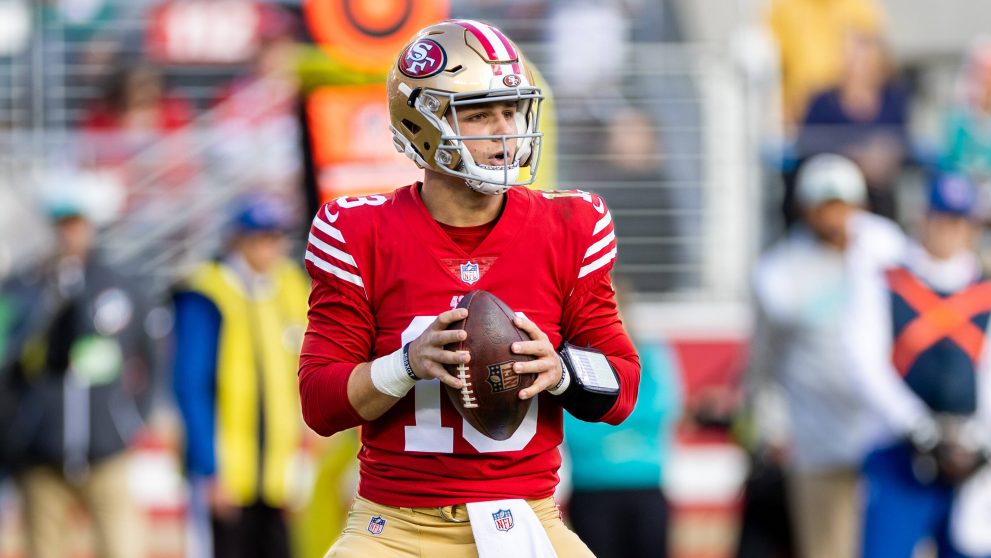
[{"x": 453, "y": 64}]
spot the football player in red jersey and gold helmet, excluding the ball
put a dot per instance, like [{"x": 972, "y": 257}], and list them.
[{"x": 388, "y": 272}]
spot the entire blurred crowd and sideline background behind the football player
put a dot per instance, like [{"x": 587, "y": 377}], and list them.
[{"x": 802, "y": 198}]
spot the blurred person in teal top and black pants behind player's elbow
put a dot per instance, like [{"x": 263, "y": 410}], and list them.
[{"x": 617, "y": 505}]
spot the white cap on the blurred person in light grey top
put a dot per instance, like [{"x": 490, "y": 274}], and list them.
[{"x": 830, "y": 177}]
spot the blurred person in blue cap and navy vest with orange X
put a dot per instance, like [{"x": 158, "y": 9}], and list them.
[{"x": 920, "y": 335}]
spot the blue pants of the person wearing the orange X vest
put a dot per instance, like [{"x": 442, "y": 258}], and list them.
[{"x": 901, "y": 511}]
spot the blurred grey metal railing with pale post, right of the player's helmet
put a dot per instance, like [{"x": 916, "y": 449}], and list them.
[{"x": 685, "y": 211}]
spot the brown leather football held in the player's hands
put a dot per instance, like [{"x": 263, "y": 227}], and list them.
[{"x": 490, "y": 399}]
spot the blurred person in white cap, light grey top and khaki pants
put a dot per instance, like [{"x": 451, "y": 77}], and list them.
[{"x": 803, "y": 287}]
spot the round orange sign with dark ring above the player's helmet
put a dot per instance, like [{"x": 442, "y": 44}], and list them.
[{"x": 367, "y": 35}]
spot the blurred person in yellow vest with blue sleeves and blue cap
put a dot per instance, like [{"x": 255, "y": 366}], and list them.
[{"x": 239, "y": 326}]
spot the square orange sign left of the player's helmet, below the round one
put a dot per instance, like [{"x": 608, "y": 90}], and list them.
[{"x": 352, "y": 144}]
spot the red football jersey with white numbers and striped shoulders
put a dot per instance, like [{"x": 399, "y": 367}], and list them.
[{"x": 383, "y": 269}]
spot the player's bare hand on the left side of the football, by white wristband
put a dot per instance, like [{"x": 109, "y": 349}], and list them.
[{"x": 427, "y": 356}]
